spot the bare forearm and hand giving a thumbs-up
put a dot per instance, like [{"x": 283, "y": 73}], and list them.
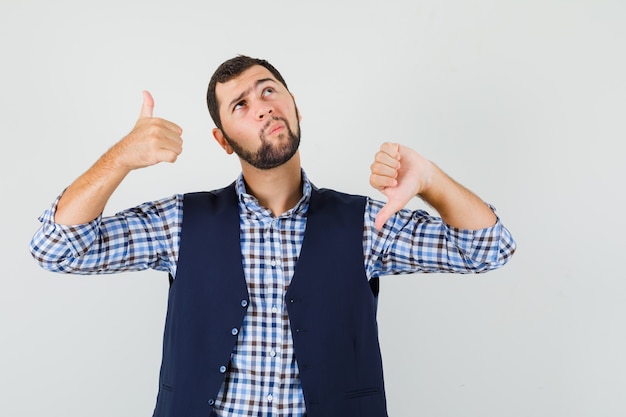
[{"x": 151, "y": 141}]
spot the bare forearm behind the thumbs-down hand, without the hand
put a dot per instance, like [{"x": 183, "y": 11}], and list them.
[{"x": 456, "y": 205}]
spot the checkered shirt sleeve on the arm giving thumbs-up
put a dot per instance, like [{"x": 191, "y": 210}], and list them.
[{"x": 146, "y": 236}]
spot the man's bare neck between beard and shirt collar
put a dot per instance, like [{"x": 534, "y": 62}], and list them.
[{"x": 278, "y": 189}]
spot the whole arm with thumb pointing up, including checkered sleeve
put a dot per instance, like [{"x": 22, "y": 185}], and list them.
[{"x": 74, "y": 238}]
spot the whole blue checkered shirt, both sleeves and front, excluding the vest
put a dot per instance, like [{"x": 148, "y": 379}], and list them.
[{"x": 263, "y": 377}]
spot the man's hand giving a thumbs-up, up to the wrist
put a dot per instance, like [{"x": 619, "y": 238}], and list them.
[{"x": 152, "y": 140}]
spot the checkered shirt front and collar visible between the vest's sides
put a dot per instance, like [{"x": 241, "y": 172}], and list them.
[{"x": 263, "y": 376}]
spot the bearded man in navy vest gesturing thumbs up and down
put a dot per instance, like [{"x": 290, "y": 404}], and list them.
[{"x": 272, "y": 308}]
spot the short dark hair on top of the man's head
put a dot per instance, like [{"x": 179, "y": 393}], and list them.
[{"x": 229, "y": 70}]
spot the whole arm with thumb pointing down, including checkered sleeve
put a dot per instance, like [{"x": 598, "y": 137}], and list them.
[{"x": 467, "y": 238}]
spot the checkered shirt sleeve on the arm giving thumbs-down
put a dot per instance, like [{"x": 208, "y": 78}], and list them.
[{"x": 414, "y": 241}]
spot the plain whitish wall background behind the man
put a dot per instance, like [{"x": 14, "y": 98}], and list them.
[{"x": 524, "y": 102}]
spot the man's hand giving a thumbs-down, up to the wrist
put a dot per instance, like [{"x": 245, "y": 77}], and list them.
[{"x": 399, "y": 173}]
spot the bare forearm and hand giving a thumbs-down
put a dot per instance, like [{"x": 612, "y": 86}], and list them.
[{"x": 400, "y": 173}]
